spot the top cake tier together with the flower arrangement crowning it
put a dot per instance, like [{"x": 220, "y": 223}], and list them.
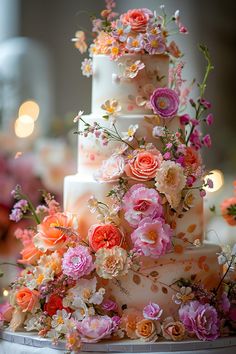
[{"x": 129, "y": 57}]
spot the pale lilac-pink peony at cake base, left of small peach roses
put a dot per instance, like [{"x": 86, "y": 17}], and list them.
[{"x": 94, "y": 328}]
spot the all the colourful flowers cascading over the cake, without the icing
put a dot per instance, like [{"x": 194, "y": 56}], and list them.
[{"x": 59, "y": 291}]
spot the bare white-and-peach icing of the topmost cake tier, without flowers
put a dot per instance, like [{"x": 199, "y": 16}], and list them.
[{"x": 125, "y": 91}]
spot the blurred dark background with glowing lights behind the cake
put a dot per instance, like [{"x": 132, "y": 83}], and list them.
[{"x": 39, "y": 63}]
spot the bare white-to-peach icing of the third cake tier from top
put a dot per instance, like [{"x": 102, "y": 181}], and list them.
[{"x": 78, "y": 189}]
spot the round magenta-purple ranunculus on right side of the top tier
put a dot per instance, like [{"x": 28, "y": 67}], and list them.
[{"x": 165, "y": 102}]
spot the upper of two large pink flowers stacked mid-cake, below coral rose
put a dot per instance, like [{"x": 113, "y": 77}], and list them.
[{"x": 140, "y": 202}]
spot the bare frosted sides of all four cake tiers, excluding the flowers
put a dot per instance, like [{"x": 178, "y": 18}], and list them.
[{"x": 199, "y": 262}]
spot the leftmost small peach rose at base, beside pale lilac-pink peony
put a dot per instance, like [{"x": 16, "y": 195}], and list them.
[{"x": 129, "y": 320}]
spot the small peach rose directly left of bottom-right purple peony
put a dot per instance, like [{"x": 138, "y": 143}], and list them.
[{"x": 173, "y": 330}]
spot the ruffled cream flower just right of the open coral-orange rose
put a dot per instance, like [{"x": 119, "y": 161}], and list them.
[{"x": 170, "y": 180}]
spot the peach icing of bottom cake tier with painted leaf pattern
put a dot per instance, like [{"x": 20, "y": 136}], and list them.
[{"x": 156, "y": 280}]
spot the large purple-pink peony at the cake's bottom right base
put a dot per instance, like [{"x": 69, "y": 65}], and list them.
[{"x": 201, "y": 320}]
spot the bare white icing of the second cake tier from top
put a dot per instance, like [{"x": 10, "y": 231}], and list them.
[{"x": 91, "y": 151}]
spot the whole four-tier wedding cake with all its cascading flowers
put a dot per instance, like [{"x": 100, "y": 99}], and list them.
[{"x": 127, "y": 256}]
